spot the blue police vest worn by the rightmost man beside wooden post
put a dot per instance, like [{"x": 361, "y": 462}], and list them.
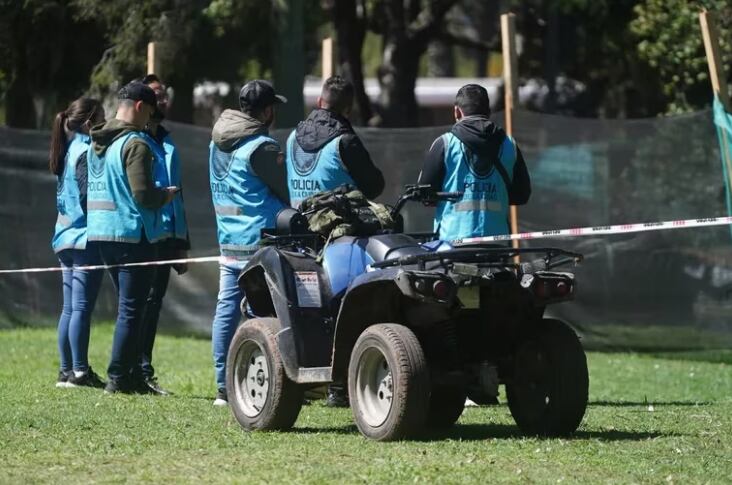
[{"x": 484, "y": 207}]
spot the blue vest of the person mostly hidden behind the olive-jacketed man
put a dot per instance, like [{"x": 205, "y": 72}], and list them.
[{"x": 166, "y": 172}]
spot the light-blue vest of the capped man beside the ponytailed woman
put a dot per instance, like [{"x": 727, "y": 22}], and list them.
[{"x": 113, "y": 213}]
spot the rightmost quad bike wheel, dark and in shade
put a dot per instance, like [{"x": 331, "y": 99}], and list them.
[{"x": 548, "y": 392}]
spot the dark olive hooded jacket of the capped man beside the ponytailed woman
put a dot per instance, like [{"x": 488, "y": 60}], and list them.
[{"x": 138, "y": 160}]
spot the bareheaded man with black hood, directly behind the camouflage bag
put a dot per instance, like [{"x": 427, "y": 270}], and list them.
[{"x": 324, "y": 152}]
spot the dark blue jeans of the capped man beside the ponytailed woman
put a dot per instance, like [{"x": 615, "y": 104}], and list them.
[{"x": 133, "y": 285}]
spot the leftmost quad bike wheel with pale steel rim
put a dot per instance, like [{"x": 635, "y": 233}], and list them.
[{"x": 260, "y": 394}]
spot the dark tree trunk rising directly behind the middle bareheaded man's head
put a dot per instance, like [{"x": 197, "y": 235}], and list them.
[{"x": 350, "y": 33}]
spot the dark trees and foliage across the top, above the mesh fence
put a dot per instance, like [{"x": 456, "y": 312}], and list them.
[{"x": 635, "y": 57}]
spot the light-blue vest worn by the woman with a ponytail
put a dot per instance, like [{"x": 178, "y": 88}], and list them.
[{"x": 70, "y": 230}]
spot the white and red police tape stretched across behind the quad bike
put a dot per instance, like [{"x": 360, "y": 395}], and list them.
[{"x": 551, "y": 234}]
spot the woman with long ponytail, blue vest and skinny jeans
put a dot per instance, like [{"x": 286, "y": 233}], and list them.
[{"x": 67, "y": 161}]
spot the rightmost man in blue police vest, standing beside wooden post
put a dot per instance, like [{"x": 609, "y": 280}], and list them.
[{"x": 477, "y": 158}]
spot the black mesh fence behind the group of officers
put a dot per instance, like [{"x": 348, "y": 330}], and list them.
[{"x": 668, "y": 289}]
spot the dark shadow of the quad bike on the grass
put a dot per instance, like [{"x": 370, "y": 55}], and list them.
[{"x": 481, "y": 432}]
